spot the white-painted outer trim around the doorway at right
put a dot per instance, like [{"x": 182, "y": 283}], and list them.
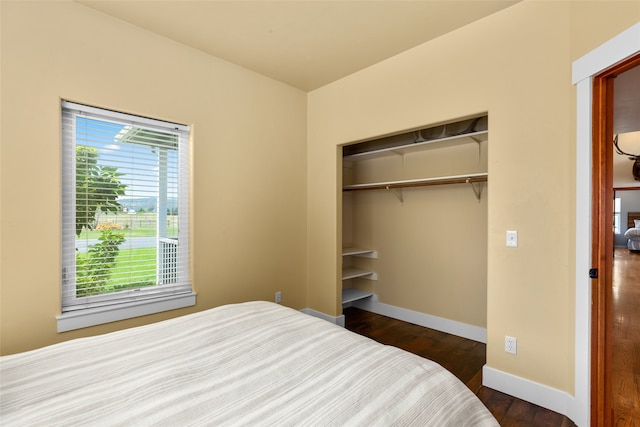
[{"x": 623, "y": 46}]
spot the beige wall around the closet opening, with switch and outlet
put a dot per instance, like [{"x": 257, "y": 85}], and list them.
[{"x": 516, "y": 66}]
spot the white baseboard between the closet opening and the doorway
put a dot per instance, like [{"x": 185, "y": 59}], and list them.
[{"x": 536, "y": 393}]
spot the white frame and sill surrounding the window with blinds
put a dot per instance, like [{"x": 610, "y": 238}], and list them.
[{"x": 89, "y": 311}]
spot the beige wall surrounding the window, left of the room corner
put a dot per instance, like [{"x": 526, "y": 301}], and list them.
[{"x": 249, "y": 160}]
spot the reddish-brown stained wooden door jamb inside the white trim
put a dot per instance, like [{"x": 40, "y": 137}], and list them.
[{"x": 607, "y": 122}]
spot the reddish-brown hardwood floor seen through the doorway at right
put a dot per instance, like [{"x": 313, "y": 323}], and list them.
[{"x": 626, "y": 338}]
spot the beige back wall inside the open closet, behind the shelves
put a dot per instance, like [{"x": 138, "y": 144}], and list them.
[{"x": 432, "y": 246}]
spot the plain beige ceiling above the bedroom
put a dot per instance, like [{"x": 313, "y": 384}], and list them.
[{"x": 305, "y": 44}]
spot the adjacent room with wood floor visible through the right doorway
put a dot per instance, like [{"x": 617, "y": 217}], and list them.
[{"x": 626, "y": 236}]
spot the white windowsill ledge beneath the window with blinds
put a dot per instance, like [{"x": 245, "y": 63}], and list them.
[{"x": 97, "y": 316}]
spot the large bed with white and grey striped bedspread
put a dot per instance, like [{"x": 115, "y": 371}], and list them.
[{"x": 254, "y": 363}]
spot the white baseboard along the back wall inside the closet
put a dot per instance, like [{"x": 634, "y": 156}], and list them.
[{"x": 452, "y": 327}]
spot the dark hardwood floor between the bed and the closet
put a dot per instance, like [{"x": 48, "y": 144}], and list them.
[{"x": 463, "y": 357}]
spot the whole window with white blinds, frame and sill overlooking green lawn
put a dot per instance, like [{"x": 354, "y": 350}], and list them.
[{"x": 125, "y": 229}]
